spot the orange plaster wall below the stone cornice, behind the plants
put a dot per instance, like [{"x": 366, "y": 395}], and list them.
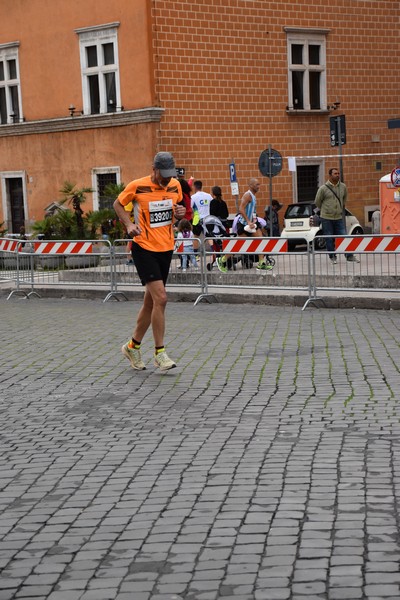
[{"x": 72, "y": 156}]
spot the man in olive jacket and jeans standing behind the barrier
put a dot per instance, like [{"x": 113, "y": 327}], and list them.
[{"x": 331, "y": 200}]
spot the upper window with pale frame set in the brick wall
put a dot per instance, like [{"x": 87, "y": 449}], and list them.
[{"x": 306, "y": 70}]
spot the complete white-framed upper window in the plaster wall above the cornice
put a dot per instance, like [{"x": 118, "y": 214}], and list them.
[{"x": 100, "y": 69}]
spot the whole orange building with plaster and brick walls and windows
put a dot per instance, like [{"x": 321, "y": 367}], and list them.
[{"x": 210, "y": 81}]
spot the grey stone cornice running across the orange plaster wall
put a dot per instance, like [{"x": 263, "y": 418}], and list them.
[{"x": 151, "y": 114}]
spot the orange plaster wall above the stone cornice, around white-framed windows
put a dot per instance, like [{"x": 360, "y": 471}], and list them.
[{"x": 49, "y": 51}]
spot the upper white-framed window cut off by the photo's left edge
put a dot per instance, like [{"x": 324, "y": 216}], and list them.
[{"x": 10, "y": 95}]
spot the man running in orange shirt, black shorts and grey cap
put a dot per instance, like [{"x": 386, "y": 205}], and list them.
[{"x": 155, "y": 201}]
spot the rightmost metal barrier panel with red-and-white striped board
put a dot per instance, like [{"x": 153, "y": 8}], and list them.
[{"x": 374, "y": 265}]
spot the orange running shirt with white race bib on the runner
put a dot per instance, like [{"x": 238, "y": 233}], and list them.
[{"x": 153, "y": 209}]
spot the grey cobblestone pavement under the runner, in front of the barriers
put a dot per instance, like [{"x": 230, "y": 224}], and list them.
[{"x": 267, "y": 466}]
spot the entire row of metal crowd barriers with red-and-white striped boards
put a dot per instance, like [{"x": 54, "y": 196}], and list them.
[{"x": 34, "y": 264}]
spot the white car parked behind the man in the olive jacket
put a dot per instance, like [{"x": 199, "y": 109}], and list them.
[{"x": 301, "y": 225}]
